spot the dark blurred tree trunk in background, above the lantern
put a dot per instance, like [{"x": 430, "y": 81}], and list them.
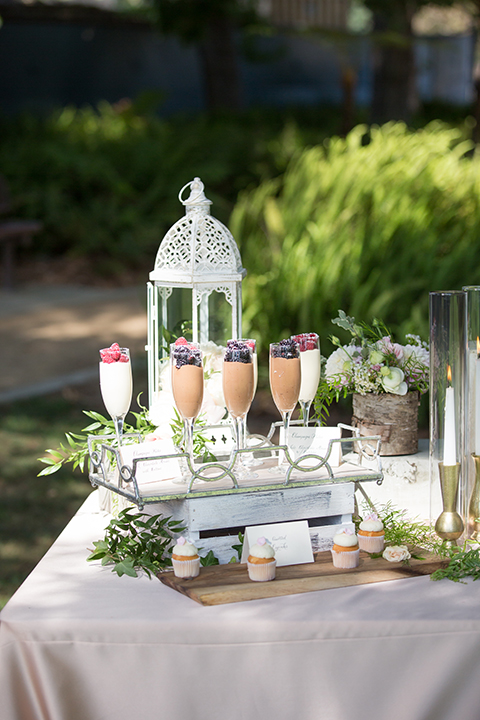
[{"x": 218, "y": 54}]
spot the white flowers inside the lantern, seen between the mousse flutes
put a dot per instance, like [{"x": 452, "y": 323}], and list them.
[{"x": 162, "y": 412}]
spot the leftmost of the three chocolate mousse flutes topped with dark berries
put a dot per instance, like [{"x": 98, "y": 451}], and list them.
[{"x": 187, "y": 386}]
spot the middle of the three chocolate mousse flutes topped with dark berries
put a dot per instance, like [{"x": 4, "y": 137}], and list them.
[{"x": 238, "y": 388}]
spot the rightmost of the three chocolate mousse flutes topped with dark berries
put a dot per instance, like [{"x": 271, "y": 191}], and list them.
[{"x": 285, "y": 379}]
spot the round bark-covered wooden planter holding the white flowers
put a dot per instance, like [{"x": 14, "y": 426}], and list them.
[{"x": 393, "y": 417}]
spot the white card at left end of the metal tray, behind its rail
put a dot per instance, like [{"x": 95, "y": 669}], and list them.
[{"x": 150, "y": 471}]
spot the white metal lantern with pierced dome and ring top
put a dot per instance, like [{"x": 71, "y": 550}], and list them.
[{"x": 197, "y": 279}]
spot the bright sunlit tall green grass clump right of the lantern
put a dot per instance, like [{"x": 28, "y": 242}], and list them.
[{"x": 372, "y": 223}]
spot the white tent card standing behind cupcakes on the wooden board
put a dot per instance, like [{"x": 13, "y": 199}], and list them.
[{"x": 291, "y": 541}]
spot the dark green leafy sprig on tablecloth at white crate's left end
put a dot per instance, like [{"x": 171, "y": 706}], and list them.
[{"x": 137, "y": 541}]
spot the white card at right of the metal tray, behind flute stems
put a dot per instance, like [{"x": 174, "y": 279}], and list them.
[{"x": 313, "y": 440}]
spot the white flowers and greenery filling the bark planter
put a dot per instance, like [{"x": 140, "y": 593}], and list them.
[{"x": 373, "y": 363}]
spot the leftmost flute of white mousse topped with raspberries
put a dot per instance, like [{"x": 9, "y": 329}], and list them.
[{"x": 116, "y": 384}]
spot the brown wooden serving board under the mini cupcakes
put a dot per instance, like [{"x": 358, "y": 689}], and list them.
[{"x": 222, "y": 584}]
